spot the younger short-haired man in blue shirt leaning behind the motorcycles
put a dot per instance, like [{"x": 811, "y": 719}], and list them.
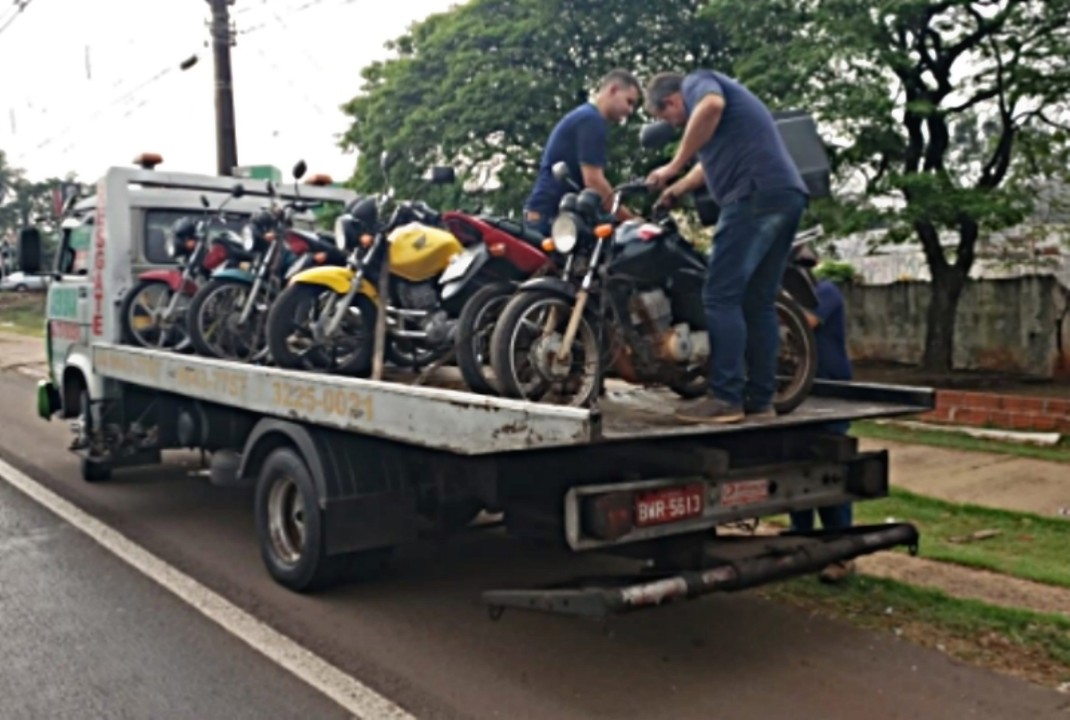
[{"x": 582, "y": 140}]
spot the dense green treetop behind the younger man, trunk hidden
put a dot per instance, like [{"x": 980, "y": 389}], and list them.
[{"x": 482, "y": 86}]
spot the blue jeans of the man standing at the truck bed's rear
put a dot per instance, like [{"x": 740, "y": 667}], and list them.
[{"x": 752, "y": 246}]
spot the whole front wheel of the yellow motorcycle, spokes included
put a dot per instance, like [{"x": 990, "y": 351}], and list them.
[{"x": 298, "y": 308}]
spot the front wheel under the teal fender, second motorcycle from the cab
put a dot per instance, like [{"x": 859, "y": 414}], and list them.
[{"x": 215, "y": 335}]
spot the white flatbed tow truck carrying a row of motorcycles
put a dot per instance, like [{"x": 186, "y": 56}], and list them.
[{"x": 346, "y": 469}]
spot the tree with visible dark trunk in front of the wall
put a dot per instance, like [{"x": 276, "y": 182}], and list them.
[{"x": 941, "y": 114}]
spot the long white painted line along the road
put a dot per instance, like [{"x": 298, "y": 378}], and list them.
[{"x": 349, "y": 693}]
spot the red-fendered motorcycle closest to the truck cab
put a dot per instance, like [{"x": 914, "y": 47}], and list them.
[{"x": 155, "y": 311}]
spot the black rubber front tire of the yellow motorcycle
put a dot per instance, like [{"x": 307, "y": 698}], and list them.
[{"x": 281, "y": 323}]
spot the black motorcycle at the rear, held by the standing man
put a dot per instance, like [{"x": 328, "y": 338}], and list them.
[{"x": 630, "y": 300}]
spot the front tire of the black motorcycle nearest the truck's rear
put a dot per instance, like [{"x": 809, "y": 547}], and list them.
[{"x": 502, "y": 354}]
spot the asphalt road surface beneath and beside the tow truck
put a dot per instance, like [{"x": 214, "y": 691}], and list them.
[{"x": 87, "y": 633}]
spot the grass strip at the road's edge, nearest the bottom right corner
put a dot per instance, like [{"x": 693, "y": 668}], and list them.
[{"x": 1020, "y": 642}]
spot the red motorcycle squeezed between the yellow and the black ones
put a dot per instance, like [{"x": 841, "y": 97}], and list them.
[{"x": 499, "y": 255}]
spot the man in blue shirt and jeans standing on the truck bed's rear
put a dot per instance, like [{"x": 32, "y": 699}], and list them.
[{"x": 751, "y": 175}]
